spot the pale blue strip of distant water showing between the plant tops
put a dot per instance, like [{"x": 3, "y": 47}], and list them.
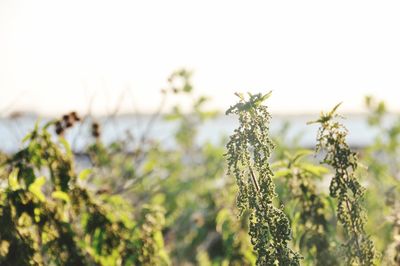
[{"x": 13, "y": 130}]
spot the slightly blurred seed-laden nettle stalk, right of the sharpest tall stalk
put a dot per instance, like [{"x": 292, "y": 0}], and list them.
[{"x": 358, "y": 247}]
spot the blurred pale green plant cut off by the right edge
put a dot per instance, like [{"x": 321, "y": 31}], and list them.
[{"x": 382, "y": 158}]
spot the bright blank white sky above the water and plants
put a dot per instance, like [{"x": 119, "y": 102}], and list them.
[{"x": 55, "y": 55}]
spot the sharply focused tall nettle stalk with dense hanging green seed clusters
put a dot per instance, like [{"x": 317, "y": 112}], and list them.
[{"x": 249, "y": 150}]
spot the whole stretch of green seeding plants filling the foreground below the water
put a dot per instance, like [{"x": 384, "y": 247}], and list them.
[{"x": 253, "y": 199}]
